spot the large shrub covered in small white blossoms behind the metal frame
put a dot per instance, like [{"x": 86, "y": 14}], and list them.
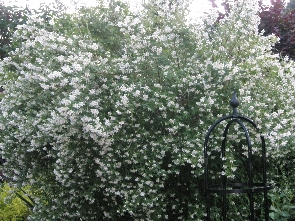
[{"x": 106, "y": 131}]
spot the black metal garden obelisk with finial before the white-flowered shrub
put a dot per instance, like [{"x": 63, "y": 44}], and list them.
[{"x": 247, "y": 186}]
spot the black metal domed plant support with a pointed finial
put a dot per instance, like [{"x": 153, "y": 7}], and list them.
[{"x": 225, "y": 188}]
